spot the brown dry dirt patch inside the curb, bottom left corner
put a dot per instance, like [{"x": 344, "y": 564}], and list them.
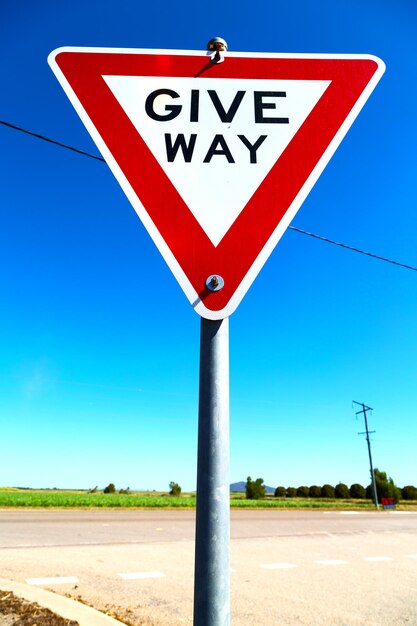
[{"x": 15, "y": 611}]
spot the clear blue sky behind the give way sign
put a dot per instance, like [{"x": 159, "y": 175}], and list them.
[{"x": 99, "y": 346}]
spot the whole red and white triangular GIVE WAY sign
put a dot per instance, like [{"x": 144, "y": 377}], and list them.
[{"x": 216, "y": 158}]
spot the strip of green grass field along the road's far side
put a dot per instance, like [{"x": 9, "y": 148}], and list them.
[{"x": 60, "y": 499}]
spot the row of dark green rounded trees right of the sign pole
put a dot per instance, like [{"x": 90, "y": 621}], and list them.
[{"x": 386, "y": 488}]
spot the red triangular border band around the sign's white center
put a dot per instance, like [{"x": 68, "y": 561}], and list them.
[{"x": 235, "y": 255}]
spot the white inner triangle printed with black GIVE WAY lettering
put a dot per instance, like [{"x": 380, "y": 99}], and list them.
[{"x": 218, "y": 141}]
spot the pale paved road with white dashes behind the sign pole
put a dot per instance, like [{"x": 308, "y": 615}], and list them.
[{"x": 306, "y": 567}]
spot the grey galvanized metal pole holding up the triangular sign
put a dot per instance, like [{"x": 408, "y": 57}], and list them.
[{"x": 212, "y": 550}]
